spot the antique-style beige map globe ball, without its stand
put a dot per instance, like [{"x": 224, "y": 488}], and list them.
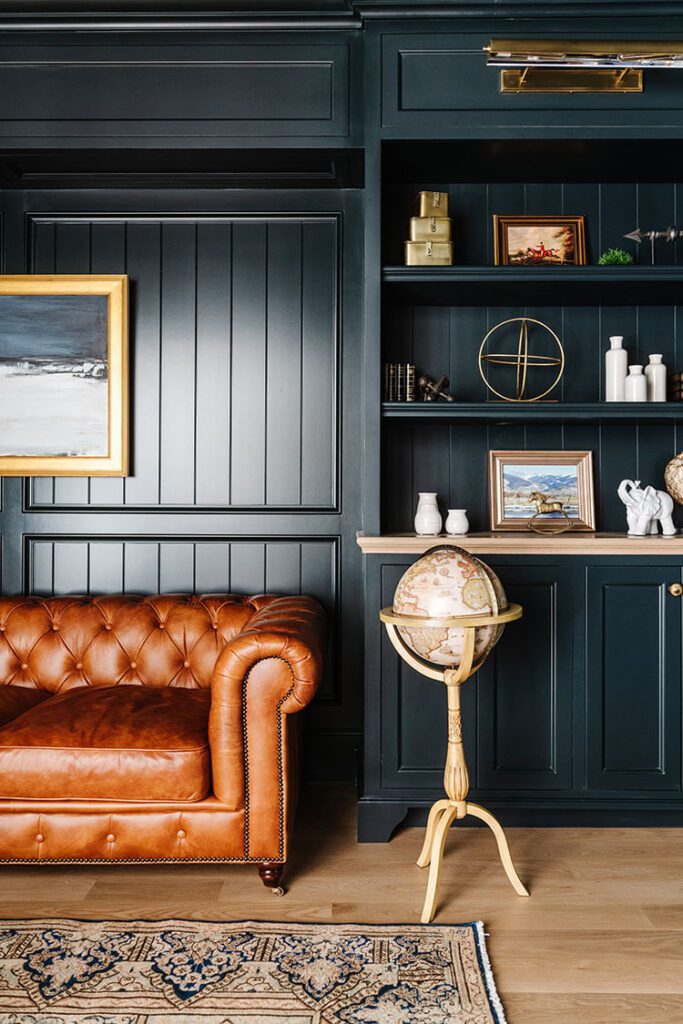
[{"x": 449, "y": 581}]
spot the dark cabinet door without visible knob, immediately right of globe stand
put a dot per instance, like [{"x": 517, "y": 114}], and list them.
[{"x": 525, "y": 689}]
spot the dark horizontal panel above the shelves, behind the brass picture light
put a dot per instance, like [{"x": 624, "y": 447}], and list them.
[{"x": 432, "y": 81}]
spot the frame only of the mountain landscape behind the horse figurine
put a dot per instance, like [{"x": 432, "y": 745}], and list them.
[{"x": 584, "y": 464}]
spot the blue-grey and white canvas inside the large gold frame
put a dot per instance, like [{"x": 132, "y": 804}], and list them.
[{"x": 54, "y": 375}]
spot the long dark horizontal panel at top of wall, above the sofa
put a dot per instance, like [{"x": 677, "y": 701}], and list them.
[{"x": 242, "y": 91}]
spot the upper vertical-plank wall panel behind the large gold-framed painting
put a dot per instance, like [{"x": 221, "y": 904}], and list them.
[{"x": 235, "y": 350}]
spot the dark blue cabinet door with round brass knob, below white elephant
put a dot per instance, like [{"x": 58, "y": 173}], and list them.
[{"x": 633, "y": 676}]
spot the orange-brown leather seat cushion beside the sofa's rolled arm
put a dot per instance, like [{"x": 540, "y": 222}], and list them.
[{"x": 111, "y": 743}]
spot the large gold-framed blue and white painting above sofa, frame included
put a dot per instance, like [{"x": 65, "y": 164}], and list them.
[{"x": 64, "y": 376}]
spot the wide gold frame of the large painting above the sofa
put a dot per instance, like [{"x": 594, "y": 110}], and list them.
[{"x": 115, "y": 463}]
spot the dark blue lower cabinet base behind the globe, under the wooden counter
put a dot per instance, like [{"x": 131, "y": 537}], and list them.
[{"x": 575, "y": 720}]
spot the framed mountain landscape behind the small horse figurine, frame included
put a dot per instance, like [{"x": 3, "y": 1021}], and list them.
[{"x": 547, "y": 492}]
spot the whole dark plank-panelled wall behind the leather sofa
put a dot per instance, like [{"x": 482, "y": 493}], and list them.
[{"x": 244, "y": 386}]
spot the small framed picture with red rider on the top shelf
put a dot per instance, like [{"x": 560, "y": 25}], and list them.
[{"x": 539, "y": 241}]
